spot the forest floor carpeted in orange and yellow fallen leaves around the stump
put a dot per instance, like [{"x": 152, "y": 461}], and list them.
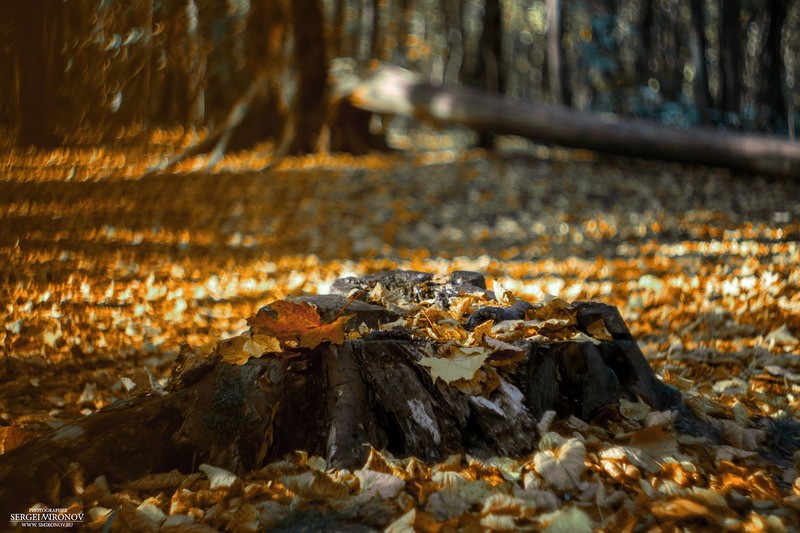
[{"x": 103, "y": 274}]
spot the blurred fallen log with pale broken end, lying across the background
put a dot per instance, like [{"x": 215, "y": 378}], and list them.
[{"x": 394, "y": 90}]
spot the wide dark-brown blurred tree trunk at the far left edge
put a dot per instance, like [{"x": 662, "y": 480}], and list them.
[{"x": 38, "y": 34}]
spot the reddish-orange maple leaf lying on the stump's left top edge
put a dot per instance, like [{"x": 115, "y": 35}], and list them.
[{"x": 297, "y": 323}]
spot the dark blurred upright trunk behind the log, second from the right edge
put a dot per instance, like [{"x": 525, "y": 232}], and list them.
[{"x": 730, "y": 46}]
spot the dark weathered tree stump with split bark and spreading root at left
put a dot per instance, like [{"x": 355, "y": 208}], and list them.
[{"x": 334, "y": 400}]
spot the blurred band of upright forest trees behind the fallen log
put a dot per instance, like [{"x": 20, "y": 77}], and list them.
[{"x": 85, "y": 72}]
